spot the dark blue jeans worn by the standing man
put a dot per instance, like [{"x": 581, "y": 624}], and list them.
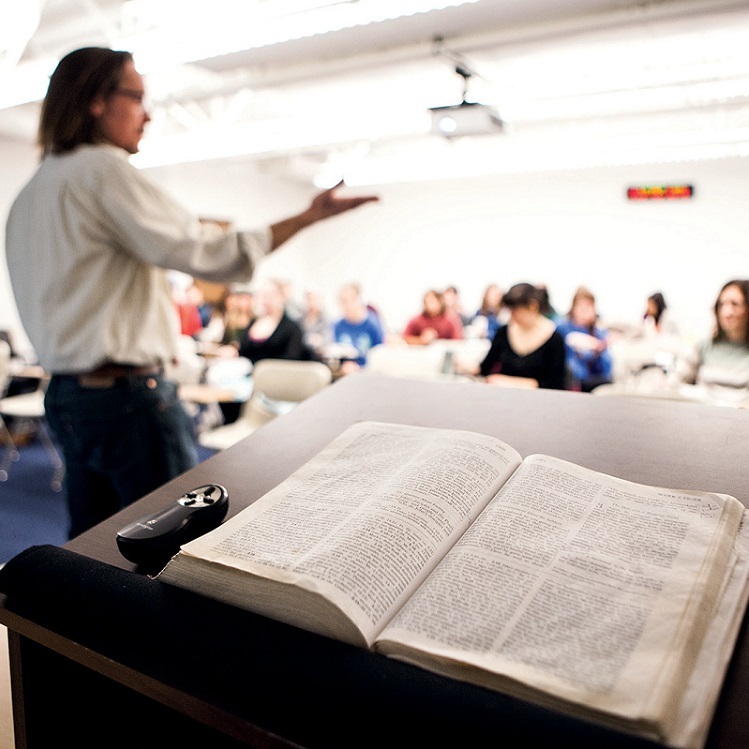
[{"x": 120, "y": 441}]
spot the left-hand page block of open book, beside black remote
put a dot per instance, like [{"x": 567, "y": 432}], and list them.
[{"x": 361, "y": 524}]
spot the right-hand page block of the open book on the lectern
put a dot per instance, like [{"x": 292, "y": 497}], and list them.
[{"x": 581, "y": 586}]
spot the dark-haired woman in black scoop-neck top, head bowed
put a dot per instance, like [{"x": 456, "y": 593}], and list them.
[{"x": 528, "y": 351}]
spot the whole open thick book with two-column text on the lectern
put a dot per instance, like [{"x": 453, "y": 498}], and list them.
[{"x": 609, "y": 600}]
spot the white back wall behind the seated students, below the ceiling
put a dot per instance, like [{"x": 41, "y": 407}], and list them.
[{"x": 563, "y": 229}]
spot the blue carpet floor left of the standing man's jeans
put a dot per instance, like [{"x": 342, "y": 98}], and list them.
[{"x": 31, "y": 512}]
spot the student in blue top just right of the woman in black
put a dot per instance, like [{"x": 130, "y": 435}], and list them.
[{"x": 589, "y": 360}]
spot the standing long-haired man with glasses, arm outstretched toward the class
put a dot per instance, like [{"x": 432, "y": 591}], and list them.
[{"x": 89, "y": 241}]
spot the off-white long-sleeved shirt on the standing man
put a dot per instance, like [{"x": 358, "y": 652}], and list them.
[{"x": 89, "y": 241}]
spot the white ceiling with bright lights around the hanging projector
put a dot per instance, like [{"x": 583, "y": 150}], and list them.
[{"x": 576, "y": 82}]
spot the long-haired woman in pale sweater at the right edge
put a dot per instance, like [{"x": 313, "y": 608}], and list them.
[{"x": 721, "y": 362}]
